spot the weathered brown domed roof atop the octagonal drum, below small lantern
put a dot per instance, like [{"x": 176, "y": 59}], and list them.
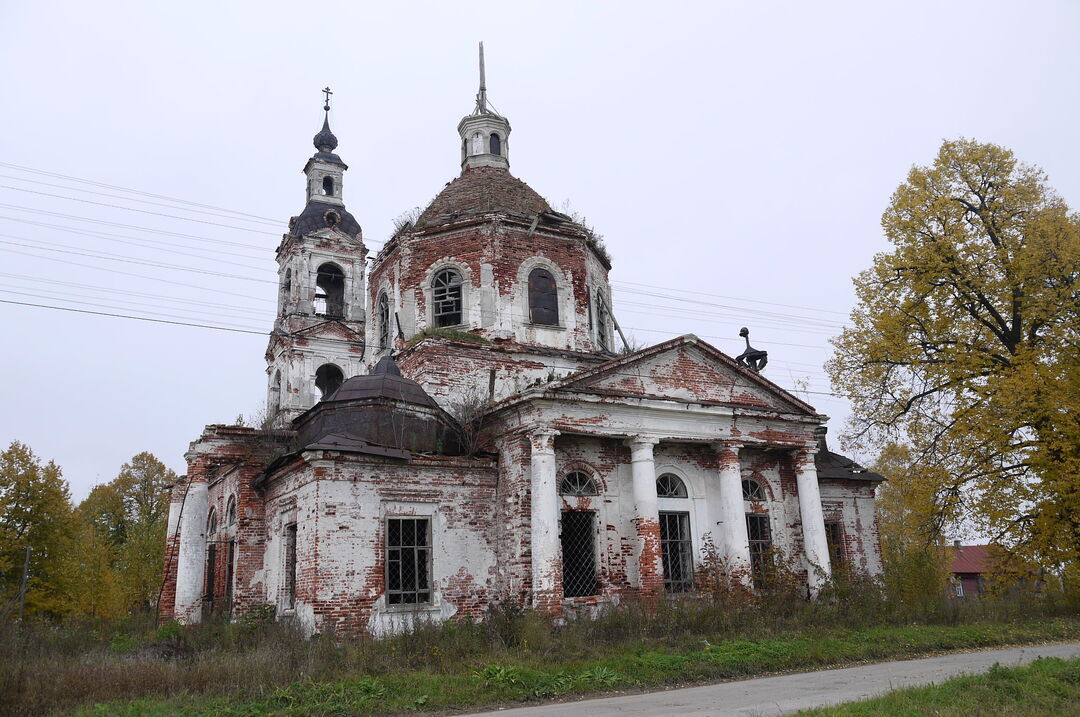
[{"x": 483, "y": 191}]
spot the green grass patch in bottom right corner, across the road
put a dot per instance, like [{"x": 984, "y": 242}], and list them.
[{"x": 1046, "y": 687}]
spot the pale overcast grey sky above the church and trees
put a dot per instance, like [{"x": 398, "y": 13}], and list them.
[{"x": 728, "y": 148}]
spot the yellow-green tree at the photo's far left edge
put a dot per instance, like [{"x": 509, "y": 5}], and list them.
[{"x": 35, "y": 512}]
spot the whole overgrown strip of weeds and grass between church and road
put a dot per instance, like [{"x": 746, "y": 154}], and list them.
[{"x": 256, "y": 667}]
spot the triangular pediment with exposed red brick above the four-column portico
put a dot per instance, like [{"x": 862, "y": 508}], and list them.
[{"x": 685, "y": 370}]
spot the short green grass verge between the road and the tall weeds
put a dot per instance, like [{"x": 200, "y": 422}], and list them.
[{"x": 529, "y": 677}]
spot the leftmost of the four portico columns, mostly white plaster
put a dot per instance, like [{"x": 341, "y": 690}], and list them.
[{"x": 547, "y": 565}]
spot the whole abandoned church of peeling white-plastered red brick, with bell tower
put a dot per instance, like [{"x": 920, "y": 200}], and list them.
[{"x": 451, "y": 426}]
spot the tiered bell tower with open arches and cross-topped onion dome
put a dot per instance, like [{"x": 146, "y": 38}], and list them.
[{"x": 318, "y": 340}]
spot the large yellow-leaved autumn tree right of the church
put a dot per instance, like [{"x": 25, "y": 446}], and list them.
[{"x": 966, "y": 346}]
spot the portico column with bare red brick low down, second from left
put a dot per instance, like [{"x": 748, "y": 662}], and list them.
[{"x": 651, "y": 574}]
